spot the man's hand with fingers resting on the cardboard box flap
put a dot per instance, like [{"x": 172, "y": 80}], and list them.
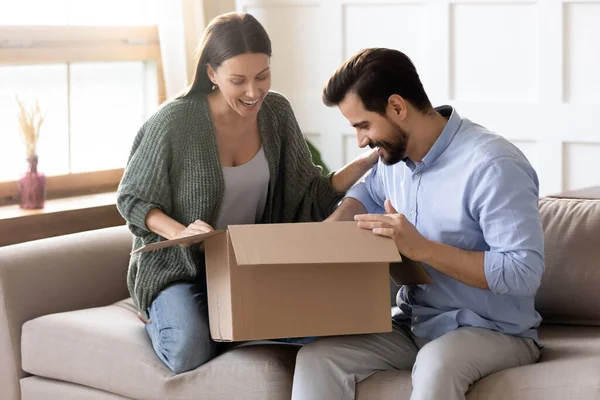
[{"x": 408, "y": 240}]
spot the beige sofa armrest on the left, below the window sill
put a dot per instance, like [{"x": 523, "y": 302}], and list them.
[{"x": 58, "y": 274}]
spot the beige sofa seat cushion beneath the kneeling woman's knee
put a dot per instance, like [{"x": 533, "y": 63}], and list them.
[{"x": 107, "y": 348}]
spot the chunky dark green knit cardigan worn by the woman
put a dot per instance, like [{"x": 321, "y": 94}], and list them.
[{"x": 174, "y": 166}]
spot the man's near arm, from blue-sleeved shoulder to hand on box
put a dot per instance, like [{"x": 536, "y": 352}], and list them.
[{"x": 505, "y": 202}]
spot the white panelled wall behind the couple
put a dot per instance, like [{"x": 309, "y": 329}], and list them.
[{"x": 529, "y": 70}]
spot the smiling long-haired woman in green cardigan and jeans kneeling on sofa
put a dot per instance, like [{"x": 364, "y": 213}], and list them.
[{"x": 226, "y": 152}]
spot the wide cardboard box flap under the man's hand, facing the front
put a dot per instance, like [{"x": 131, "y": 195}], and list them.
[{"x": 309, "y": 243}]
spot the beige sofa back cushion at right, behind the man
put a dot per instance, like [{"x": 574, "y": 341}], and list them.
[{"x": 570, "y": 289}]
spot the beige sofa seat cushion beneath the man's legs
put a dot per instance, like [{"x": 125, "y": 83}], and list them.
[{"x": 569, "y": 368}]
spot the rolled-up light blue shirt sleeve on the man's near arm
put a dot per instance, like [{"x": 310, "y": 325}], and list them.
[{"x": 505, "y": 202}]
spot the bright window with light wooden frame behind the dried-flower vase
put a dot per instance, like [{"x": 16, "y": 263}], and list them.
[{"x": 95, "y": 67}]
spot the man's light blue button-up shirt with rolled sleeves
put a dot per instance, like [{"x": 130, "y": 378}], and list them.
[{"x": 476, "y": 191}]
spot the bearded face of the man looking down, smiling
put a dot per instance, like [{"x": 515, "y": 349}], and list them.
[{"x": 375, "y": 130}]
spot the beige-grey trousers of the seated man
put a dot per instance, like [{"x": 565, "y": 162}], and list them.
[{"x": 330, "y": 368}]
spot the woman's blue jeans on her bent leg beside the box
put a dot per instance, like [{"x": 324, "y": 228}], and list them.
[{"x": 179, "y": 328}]
